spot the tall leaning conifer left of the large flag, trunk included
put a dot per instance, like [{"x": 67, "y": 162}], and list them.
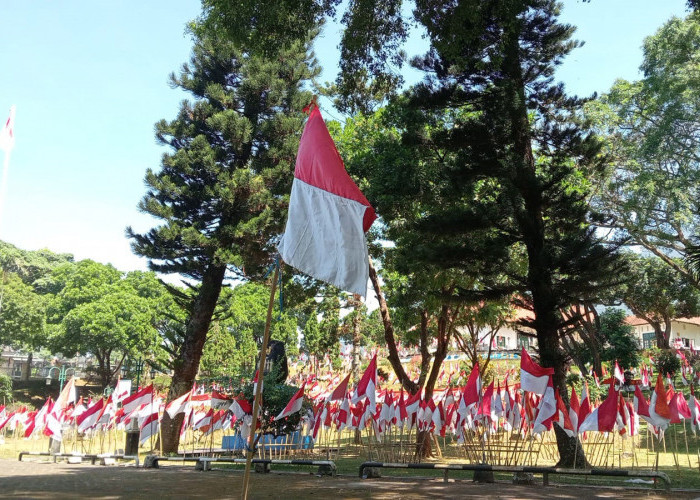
[{"x": 222, "y": 188}]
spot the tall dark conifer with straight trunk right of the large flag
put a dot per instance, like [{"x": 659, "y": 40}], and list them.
[{"x": 511, "y": 165}]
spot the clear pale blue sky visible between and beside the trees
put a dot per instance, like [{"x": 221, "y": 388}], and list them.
[{"x": 90, "y": 79}]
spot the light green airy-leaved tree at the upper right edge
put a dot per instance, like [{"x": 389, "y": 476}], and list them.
[{"x": 652, "y": 132}]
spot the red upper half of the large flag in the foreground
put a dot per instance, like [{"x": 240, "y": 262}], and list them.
[{"x": 320, "y": 165}]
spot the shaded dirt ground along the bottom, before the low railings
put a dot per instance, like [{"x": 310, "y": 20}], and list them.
[{"x": 41, "y": 480}]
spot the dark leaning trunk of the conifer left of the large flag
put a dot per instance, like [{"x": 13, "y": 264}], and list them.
[{"x": 187, "y": 363}]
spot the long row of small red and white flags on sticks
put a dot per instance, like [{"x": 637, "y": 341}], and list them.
[{"x": 531, "y": 406}]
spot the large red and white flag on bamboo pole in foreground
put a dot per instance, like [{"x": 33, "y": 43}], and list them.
[{"x": 328, "y": 215}]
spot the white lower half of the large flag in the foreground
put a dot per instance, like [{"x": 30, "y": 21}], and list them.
[{"x": 324, "y": 238}]
